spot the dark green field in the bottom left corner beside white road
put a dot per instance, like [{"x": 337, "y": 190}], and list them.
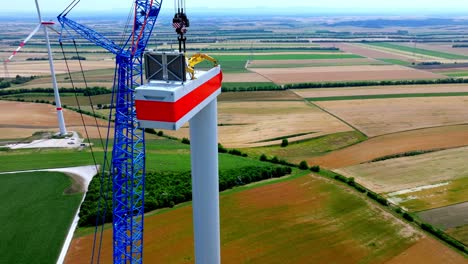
[{"x": 35, "y": 216}]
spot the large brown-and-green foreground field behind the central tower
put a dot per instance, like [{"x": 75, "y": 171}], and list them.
[{"x": 302, "y": 208}]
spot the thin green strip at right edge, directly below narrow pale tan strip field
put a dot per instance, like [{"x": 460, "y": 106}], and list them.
[{"x": 384, "y": 96}]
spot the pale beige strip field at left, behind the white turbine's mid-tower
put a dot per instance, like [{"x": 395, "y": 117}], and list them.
[{"x": 37, "y": 68}]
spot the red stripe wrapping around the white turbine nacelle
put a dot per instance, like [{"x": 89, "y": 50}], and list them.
[{"x": 173, "y": 112}]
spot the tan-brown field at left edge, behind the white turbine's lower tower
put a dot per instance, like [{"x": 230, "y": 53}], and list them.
[{"x": 21, "y": 120}]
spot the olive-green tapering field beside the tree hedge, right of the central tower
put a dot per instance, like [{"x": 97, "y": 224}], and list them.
[{"x": 302, "y": 150}]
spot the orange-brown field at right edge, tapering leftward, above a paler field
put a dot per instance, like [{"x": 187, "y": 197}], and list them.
[{"x": 377, "y": 147}]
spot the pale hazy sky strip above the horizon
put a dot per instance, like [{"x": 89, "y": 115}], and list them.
[{"x": 415, "y": 6}]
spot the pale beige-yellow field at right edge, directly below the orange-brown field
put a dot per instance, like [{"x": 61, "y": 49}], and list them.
[{"x": 409, "y": 172}]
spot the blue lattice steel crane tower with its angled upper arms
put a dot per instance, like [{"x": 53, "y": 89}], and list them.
[{"x": 128, "y": 154}]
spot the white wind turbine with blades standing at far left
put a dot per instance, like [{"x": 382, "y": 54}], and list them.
[{"x": 44, "y": 25}]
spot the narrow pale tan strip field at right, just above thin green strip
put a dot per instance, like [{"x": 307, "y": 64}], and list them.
[{"x": 376, "y": 90}]
